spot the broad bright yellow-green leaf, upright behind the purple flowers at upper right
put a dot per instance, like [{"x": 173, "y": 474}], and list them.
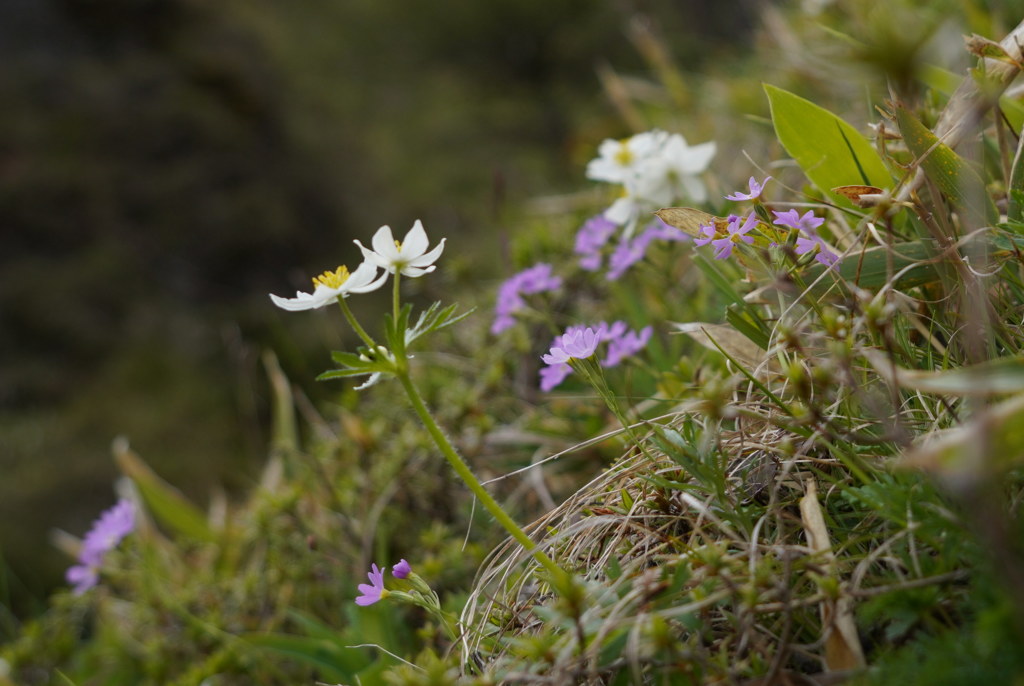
[{"x": 831, "y": 152}]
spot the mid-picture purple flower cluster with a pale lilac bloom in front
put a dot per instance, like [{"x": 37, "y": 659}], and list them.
[{"x": 582, "y": 342}]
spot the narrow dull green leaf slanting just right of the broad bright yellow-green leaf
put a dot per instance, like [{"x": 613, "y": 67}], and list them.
[{"x": 958, "y": 181}]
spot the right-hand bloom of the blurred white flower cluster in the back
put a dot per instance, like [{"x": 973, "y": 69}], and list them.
[{"x": 676, "y": 168}]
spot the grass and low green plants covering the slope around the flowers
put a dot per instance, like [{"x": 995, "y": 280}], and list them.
[{"x": 812, "y": 474}]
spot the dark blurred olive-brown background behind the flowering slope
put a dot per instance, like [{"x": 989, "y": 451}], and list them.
[{"x": 165, "y": 164}]
